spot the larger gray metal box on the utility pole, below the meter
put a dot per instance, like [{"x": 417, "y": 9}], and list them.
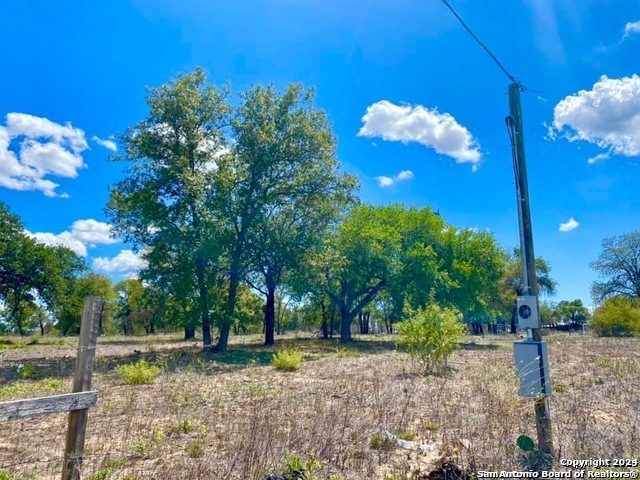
[{"x": 532, "y": 366}]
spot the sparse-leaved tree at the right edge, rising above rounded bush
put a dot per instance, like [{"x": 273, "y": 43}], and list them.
[{"x": 619, "y": 266}]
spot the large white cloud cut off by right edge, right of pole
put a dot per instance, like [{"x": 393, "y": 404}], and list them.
[{"x": 608, "y": 116}]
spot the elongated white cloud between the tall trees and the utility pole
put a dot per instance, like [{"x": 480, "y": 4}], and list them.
[{"x": 422, "y": 125}]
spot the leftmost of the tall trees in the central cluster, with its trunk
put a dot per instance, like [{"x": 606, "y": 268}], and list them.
[{"x": 173, "y": 156}]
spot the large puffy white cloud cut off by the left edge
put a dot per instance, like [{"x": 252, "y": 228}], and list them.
[{"x": 32, "y": 148}]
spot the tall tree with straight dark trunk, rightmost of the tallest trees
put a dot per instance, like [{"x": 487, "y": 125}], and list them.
[{"x": 303, "y": 192}]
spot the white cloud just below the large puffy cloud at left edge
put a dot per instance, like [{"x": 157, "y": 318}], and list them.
[{"x": 82, "y": 235}]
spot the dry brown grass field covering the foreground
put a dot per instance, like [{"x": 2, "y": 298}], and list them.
[{"x": 233, "y": 416}]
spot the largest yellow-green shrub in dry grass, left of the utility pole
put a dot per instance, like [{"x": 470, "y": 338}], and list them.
[{"x": 430, "y": 335}]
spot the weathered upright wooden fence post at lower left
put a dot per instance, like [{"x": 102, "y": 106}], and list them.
[{"x": 74, "y": 446}]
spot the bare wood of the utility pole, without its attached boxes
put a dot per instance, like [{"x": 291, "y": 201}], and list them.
[{"x": 543, "y": 417}]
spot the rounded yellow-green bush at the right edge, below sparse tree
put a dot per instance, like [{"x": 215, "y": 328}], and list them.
[{"x": 618, "y": 317}]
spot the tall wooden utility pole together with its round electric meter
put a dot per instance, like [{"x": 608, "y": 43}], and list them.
[{"x": 527, "y": 313}]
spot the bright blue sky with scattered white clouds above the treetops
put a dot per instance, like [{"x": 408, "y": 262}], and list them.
[{"x": 418, "y": 109}]
